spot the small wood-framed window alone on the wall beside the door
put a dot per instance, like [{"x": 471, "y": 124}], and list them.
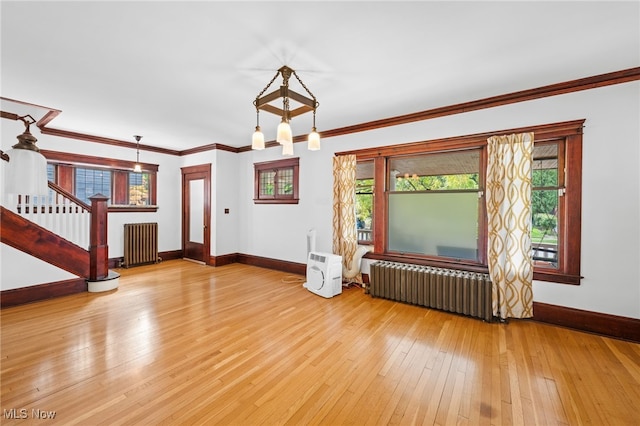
[{"x": 276, "y": 182}]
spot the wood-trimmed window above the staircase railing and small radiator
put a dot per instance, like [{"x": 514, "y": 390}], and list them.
[{"x": 85, "y": 176}]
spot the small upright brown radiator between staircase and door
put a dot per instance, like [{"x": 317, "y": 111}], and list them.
[{"x": 140, "y": 244}]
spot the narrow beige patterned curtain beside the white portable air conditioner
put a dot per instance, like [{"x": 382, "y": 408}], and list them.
[{"x": 345, "y": 239}]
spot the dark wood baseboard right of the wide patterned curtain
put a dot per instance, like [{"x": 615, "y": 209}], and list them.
[{"x": 592, "y": 322}]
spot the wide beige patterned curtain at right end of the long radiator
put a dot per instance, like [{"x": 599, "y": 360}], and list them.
[{"x": 509, "y": 224}]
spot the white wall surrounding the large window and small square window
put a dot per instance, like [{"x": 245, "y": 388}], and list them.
[{"x": 611, "y": 188}]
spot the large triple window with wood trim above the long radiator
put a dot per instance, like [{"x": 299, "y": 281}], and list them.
[{"x": 430, "y": 208}]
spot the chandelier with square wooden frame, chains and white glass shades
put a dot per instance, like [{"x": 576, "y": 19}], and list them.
[{"x": 284, "y": 135}]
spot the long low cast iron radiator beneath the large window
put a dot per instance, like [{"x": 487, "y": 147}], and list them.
[{"x": 462, "y": 292}]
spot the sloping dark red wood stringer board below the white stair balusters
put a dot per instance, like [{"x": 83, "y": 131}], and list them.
[{"x": 29, "y": 238}]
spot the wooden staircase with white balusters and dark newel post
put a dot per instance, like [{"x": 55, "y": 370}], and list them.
[{"x": 55, "y": 229}]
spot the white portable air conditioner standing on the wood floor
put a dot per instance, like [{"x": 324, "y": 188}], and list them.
[{"x": 324, "y": 274}]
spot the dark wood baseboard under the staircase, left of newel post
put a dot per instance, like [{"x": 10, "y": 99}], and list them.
[{"x": 22, "y": 295}]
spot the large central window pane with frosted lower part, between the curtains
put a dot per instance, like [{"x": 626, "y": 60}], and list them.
[{"x": 433, "y": 204}]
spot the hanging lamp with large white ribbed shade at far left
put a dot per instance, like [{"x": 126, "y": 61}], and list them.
[{"x": 26, "y": 173}]
